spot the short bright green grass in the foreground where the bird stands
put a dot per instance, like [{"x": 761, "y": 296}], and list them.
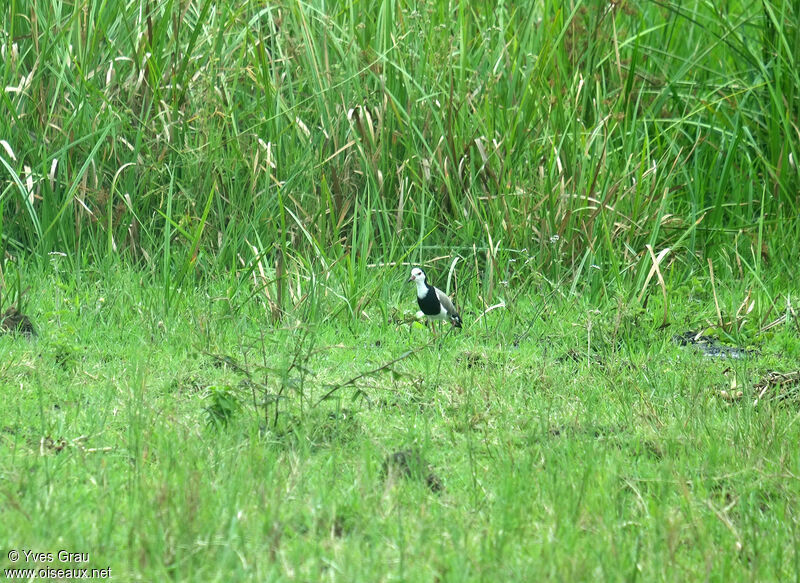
[{"x": 567, "y": 450}]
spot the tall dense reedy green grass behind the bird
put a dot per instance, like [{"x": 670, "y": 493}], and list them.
[{"x": 328, "y": 137}]
